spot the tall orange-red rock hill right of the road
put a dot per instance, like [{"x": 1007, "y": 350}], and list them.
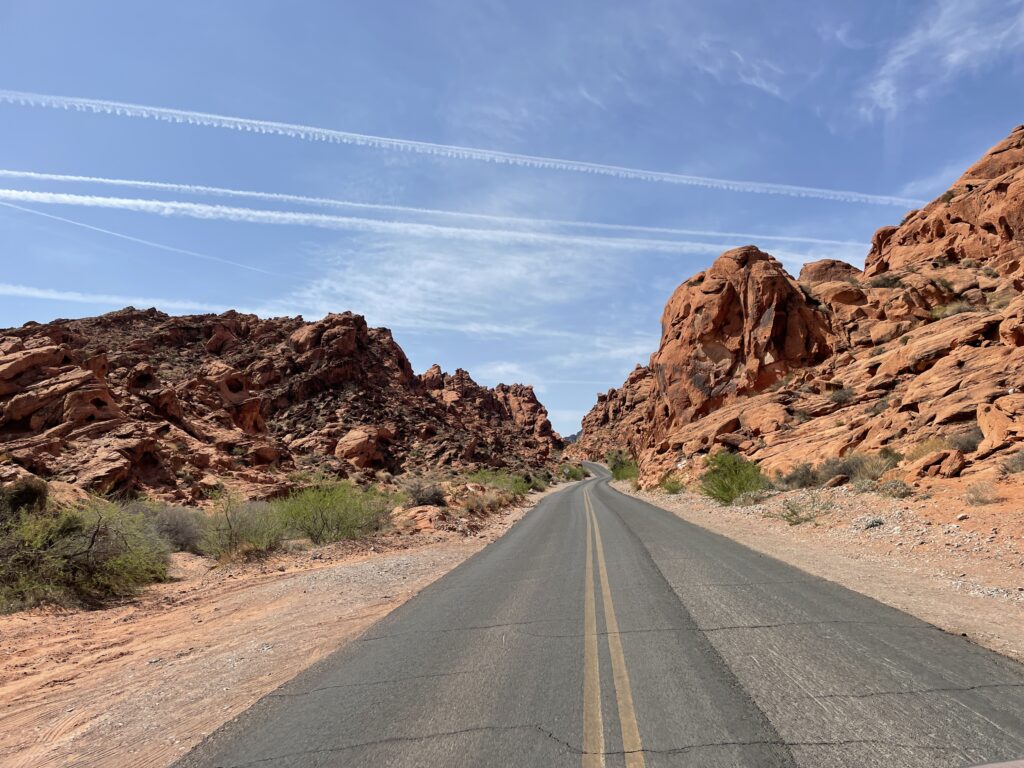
[{"x": 926, "y": 346}]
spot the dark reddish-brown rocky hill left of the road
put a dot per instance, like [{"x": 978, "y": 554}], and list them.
[{"x": 141, "y": 402}]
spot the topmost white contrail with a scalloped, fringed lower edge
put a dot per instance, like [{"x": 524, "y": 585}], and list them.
[{"x": 452, "y": 152}]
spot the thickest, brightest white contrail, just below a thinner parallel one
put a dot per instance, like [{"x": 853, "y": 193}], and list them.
[{"x": 350, "y": 224}]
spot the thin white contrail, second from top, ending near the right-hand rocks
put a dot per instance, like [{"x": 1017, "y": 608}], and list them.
[{"x": 202, "y": 190}]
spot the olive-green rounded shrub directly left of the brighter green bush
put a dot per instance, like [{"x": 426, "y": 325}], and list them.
[{"x": 242, "y": 530}]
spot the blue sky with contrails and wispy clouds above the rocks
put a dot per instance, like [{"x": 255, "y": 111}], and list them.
[{"x": 513, "y": 188}]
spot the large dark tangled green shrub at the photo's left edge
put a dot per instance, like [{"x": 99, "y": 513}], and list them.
[{"x": 76, "y": 557}]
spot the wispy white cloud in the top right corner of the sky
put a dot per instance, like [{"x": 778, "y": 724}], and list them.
[{"x": 953, "y": 37}]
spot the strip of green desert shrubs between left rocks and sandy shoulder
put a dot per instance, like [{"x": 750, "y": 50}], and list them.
[{"x": 97, "y": 550}]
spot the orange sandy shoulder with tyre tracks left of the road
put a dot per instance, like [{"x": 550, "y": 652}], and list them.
[{"x": 142, "y": 684}]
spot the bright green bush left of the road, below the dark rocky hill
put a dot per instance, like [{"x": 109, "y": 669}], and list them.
[{"x": 330, "y": 513}]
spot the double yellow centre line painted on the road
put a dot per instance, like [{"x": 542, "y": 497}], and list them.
[{"x": 593, "y": 727}]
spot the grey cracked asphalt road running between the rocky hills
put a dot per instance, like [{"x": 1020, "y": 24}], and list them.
[{"x": 604, "y": 631}]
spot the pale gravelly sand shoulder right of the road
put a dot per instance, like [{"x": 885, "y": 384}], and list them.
[{"x": 936, "y": 557}]
